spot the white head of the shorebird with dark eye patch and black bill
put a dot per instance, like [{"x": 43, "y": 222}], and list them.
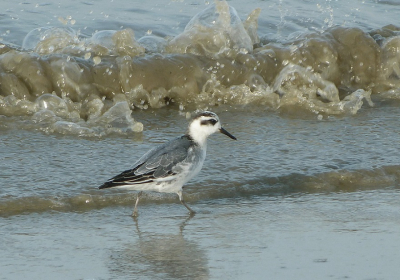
[{"x": 203, "y": 125}]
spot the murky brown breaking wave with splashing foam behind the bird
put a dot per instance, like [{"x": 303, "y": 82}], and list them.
[{"x": 70, "y": 83}]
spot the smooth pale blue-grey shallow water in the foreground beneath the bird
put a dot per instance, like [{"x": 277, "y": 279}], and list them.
[{"x": 323, "y": 236}]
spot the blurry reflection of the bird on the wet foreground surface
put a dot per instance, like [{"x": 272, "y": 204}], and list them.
[{"x": 160, "y": 256}]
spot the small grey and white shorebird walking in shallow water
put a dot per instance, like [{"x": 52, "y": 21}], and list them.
[{"x": 166, "y": 168}]
